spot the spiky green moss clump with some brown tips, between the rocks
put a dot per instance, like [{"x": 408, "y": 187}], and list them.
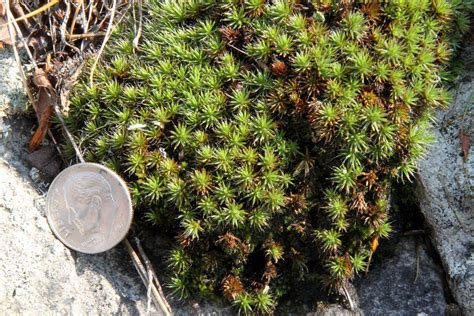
[{"x": 263, "y": 136}]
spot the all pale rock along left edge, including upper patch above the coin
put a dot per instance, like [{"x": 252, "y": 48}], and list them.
[{"x": 38, "y": 275}]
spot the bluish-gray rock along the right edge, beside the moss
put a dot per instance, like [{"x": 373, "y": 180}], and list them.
[{"x": 446, "y": 183}]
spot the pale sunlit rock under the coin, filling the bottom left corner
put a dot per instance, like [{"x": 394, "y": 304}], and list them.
[{"x": 39, "y": 275}]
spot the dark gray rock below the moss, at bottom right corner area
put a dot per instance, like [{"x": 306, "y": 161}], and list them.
[{"x": 390, "y": 287}]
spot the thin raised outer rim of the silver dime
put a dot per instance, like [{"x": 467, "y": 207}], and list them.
[{"x": 114, "y": 175}]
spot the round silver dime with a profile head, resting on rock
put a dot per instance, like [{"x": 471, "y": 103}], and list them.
[{"x": 89, "y": 208}]
